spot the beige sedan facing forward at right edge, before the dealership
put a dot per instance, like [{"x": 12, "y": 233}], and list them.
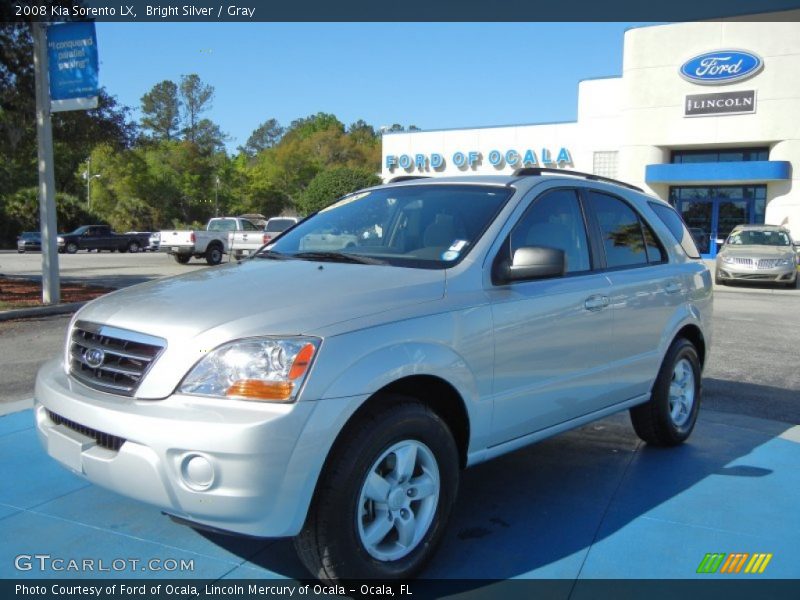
[{"x": 757, "y": 254}]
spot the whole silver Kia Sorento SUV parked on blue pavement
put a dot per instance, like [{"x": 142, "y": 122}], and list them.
[{"x": 332, "y": 387}]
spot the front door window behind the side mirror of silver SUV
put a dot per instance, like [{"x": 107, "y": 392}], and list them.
[{"x": 555, "y": 220}]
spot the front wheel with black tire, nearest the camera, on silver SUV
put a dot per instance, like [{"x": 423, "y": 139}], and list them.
[{"x": 383, "y": 500}]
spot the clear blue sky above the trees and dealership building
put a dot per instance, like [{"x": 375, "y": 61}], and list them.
[{"x": 432, "y": 75}]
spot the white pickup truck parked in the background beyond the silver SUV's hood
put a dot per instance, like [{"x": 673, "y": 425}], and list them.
[{"x": 210, "y": 244}]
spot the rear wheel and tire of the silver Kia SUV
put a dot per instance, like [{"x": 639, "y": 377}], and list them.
[{"x": 669, "y": 417}]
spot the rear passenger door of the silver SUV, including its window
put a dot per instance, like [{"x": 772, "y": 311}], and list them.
[{"x": 646, "y": 291}]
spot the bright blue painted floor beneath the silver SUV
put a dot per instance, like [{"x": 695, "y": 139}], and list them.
[{"x": 593, "y": 503}]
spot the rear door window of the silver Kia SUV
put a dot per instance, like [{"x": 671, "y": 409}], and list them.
[{"x": 621, "y": 231}]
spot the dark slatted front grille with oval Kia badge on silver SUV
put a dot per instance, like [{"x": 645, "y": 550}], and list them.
[{"x": 110, "y": 359}]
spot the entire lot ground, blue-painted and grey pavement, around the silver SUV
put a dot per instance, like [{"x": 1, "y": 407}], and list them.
[{"x": 592, "y": 503}]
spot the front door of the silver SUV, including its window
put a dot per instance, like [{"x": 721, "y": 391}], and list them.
[{"x": 550, "y": 334}]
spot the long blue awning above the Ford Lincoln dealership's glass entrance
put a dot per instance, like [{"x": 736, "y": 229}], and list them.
[{"x": 755, "y": 171}]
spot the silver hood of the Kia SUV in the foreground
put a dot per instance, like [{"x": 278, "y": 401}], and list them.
[{"x": 196, "y": 312}]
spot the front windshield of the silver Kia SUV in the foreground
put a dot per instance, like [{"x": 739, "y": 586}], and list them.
[{"x": 428, "y": 226}]
